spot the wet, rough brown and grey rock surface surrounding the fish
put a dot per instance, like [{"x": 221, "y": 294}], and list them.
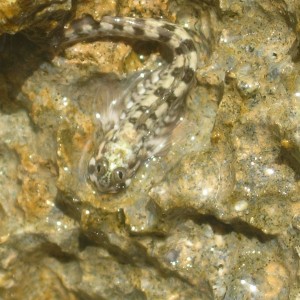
[{"x": 217, "y": 217}]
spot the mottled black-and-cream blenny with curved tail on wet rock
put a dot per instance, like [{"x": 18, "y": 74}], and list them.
[{"x": 153, "y": 105}]
